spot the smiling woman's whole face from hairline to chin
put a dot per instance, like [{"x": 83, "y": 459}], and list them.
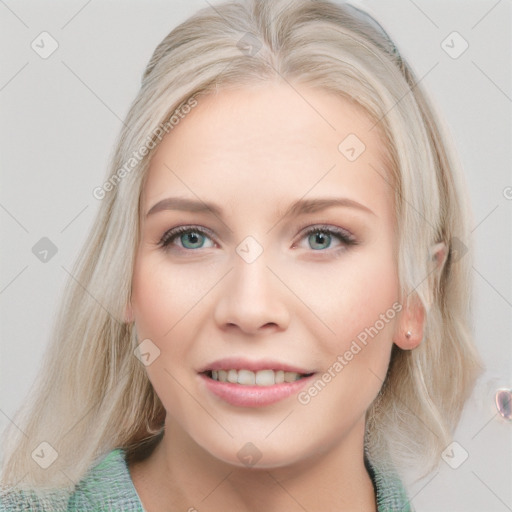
[{"x": 268, "y": 253}]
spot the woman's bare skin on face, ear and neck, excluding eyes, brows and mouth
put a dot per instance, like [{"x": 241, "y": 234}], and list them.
[{"x": 253, "y": 151}]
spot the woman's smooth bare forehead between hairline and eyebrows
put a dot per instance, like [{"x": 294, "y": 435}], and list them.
[{"x": 271, "y": 143}]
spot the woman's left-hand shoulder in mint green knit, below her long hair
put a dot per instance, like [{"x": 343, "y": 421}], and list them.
[{"x": 107, "y": 486}]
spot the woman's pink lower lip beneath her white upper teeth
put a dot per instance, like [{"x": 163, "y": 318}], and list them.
[{"x": 254, "y": 396}]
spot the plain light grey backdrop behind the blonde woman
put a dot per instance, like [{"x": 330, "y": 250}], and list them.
[{"x": 59, "y": 119}]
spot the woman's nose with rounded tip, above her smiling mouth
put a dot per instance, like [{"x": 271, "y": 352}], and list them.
[{"x": 252, "y": 299}]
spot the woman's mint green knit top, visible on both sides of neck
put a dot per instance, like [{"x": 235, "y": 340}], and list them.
[{"x": 108, "y": 487}]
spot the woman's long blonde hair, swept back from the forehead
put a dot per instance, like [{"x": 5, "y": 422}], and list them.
[{"x": 93, "y": 394}]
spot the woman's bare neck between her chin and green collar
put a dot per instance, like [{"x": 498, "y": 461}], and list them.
[{"x": 180, "y": 475}]
